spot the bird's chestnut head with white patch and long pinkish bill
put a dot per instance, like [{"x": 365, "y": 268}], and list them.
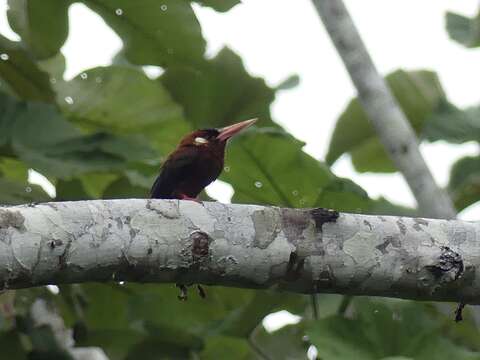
[{"x": 215, "y": 138}]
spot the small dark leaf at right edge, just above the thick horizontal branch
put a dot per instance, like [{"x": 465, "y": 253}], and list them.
[{"x": 464, "y": 185}]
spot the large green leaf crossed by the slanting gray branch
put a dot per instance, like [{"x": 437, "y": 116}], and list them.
[{"x": 419, "y": 93}]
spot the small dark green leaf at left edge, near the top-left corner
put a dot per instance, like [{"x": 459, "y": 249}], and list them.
[{"x": 21, "y": 73}]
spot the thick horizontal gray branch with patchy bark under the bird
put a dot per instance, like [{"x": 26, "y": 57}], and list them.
[{"x": 300, "y": 250}]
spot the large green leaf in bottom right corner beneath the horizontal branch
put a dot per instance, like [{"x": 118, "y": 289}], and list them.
[{"x": 379, "y": 331}]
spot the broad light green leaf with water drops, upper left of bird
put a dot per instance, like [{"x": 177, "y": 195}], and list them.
[{"x": 98, "y": 100}]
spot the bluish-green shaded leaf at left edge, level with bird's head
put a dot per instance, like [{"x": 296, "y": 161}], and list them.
[{"x": 39, "y": 135}]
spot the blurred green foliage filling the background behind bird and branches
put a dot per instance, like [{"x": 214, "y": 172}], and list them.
[{"x": 105, "y": 133}]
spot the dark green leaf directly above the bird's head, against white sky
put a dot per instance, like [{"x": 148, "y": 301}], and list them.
[{"x": 219, "y": 92}]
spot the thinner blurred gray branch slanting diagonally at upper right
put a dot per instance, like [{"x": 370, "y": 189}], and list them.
[{"x": 390, "y": 122}]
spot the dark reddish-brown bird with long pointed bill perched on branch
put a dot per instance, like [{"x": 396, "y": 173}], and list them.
[{"x": 195, "y": 163}]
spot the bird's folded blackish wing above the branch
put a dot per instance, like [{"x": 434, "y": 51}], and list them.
[{"x": 174, "y": 171}]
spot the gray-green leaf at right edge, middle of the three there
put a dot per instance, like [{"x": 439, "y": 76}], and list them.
[{"x": 453, "y": 125}]
